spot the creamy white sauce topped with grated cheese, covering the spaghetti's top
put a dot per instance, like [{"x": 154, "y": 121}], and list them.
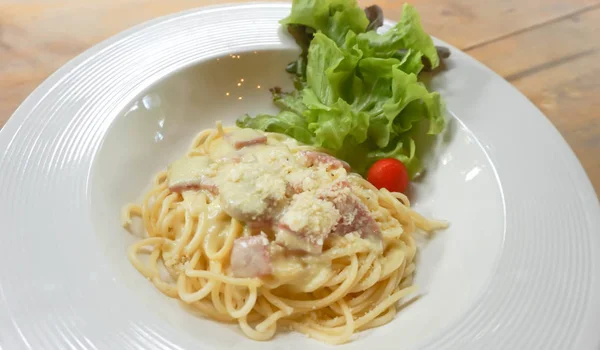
[{"x": 270, "y": 186}]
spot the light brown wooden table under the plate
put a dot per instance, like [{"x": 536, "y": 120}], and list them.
[{"x": 549, "y": 49}]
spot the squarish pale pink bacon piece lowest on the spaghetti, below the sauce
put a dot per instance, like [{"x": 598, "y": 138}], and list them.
[{"x": 250, "y": 257}]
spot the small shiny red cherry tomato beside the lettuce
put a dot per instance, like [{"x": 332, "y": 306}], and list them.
[{"x": 389, "y": 173}]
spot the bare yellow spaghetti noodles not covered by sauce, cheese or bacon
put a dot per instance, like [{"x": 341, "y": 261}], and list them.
[{"x": 351, "y": 286}]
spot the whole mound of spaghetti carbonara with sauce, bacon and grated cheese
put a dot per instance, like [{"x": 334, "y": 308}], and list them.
[{"x": 256, "y": 229}]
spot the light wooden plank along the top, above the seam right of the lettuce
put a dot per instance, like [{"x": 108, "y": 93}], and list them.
[{"x": 37, "y": 37}]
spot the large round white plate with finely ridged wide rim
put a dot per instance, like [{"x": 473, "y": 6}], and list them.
[{"x": 518, "y": 269}]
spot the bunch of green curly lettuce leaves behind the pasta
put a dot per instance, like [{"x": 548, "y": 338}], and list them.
[{"x": 358, "y": 93}]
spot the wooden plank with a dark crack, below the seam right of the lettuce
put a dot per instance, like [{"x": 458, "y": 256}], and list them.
[{"x": 556, "y": 67}]
